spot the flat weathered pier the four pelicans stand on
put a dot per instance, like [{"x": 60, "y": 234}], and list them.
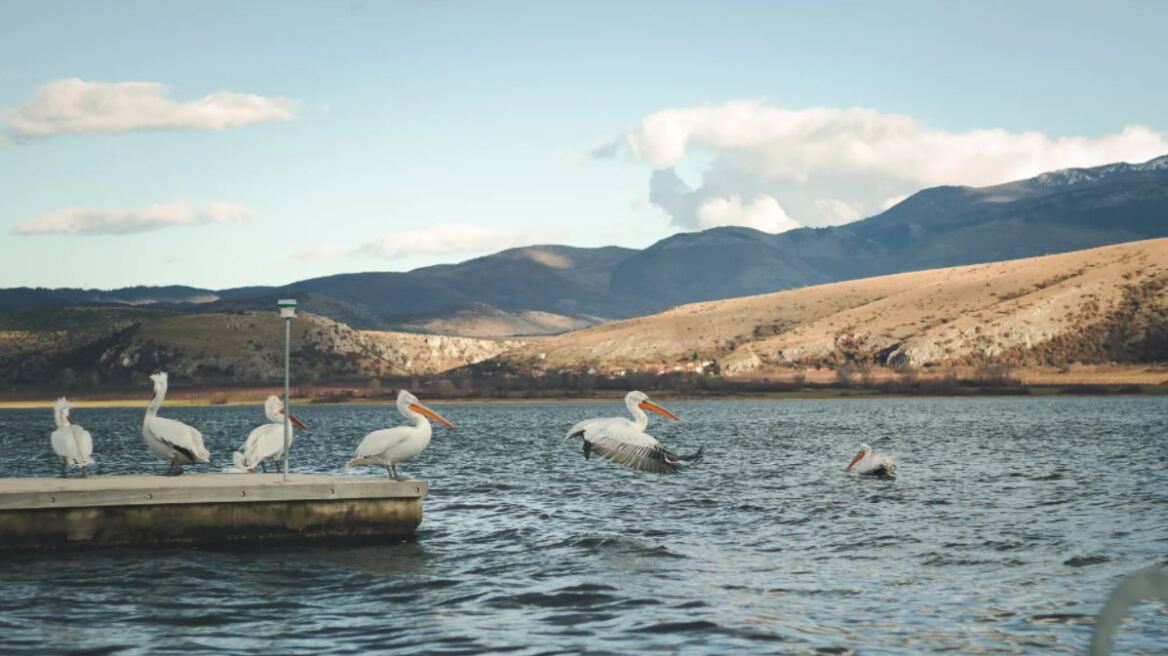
[{"x": 45, "y": 514}]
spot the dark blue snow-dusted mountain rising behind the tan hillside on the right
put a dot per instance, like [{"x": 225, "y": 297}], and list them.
[{"x": 1056, "y": 212}]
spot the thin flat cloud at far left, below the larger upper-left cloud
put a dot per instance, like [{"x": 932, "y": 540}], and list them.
[{"x": 86, "y": 221}]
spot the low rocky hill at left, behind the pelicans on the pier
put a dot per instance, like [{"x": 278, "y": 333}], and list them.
[{"x": 225, "y": 347}]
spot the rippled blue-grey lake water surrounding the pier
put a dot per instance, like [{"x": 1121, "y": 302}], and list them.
[{"x": 1011, "y": 521}]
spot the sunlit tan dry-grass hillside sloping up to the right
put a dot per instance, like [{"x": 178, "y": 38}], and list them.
[{"x": 1100, "y": 305}]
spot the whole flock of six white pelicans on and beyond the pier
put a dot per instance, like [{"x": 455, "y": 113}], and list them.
[{"x": 617, "y": 439}]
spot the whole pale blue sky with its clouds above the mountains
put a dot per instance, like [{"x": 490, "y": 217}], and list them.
[{"x": 412, "y": 134}]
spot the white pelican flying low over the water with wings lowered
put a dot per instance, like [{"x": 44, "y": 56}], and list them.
[{"x": 625, "y": 442}]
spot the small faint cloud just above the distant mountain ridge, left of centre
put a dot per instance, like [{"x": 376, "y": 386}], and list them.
[{"x": 447, "y": 240}]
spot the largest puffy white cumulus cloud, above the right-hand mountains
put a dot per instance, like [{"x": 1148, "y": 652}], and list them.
[{"x": 829, "y": 166}]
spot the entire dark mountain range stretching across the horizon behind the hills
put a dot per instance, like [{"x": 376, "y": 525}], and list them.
[{"x": 550, "y": 290}]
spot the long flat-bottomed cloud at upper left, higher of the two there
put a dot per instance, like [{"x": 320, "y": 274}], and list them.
[{"x": 79, "y": 107}]
